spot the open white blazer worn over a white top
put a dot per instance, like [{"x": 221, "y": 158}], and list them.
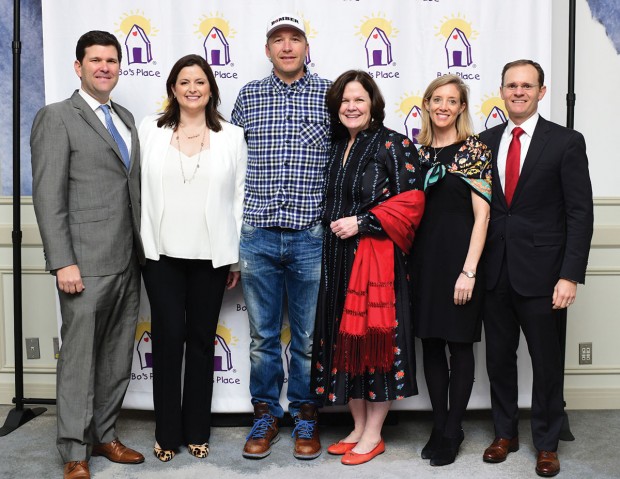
[{"x": 224, "y": 206}]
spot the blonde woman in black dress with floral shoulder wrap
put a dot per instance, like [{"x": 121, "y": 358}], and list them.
[{"x": 448, "y": 282}]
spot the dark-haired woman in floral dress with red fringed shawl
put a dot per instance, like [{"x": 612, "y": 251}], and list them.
[{"x": 363, "y": 353}]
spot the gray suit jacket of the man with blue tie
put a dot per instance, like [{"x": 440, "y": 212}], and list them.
[{"x": 86, "y": 202}]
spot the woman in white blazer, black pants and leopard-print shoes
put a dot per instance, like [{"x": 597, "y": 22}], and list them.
[{"x": 193, "y": 169}]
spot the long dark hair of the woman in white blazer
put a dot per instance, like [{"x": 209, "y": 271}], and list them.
[{"x": 172, "y": 114}]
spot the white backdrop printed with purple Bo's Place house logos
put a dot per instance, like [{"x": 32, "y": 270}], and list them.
[{"x": 403, "y": 45}]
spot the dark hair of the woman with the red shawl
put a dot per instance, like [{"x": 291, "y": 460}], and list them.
[{"x": 334, "y": 100}]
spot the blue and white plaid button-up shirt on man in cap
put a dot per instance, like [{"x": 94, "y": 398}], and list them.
[{"x": 287, "y": 132}]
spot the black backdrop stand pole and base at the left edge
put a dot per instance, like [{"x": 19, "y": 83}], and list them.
[{"x": 19, "y": 415}]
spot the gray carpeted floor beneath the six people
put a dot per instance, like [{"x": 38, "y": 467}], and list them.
[{"x": 30, "y": 451}]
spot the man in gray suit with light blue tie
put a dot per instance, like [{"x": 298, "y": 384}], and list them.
[{"x": 86, "y": 193}]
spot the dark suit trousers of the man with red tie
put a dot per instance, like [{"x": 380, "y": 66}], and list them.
[{"x": 506, "y": 313}]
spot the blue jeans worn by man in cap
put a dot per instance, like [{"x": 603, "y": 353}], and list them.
[{"x": 276, "y": 264}]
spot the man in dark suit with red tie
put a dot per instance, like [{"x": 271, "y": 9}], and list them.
[{"x": 536, "y": 252}]
